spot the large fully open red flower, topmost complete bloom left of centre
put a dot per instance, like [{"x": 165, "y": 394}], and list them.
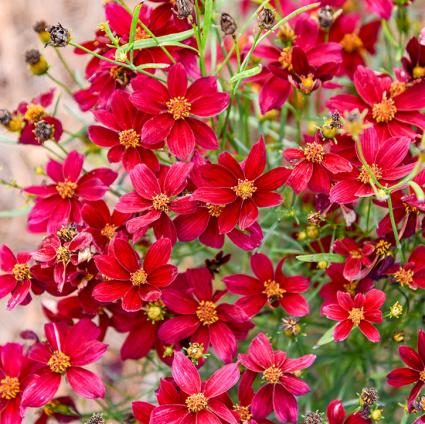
[{"x": 176, "y": 108}]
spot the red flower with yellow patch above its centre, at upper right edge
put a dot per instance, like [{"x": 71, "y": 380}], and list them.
[{"x": 393, "y": 107}]
